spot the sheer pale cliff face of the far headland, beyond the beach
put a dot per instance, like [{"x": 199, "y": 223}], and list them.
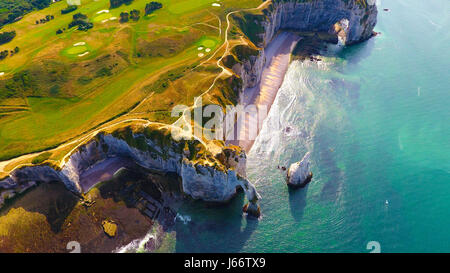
[{"x": 359, "y": 16}]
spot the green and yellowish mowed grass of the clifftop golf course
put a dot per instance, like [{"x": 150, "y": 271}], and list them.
[{"x": 37, "y": 123}]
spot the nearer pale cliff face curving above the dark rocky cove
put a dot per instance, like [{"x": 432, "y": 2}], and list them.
[{"x": 200, "y": 179}]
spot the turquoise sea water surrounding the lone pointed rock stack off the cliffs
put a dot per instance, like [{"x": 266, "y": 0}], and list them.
[{"x": 376, "y": 119}]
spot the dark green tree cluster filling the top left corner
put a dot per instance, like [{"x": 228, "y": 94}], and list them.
[{"x": 13, "y": 10}]
